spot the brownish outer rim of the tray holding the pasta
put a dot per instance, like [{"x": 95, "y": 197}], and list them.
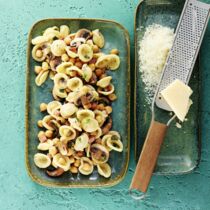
[{"x": 55, "y": 184}]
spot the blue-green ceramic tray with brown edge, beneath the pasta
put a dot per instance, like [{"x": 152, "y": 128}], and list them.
[{"x": 116, "y": 36}]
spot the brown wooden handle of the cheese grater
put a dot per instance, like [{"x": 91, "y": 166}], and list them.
[{"x": 148, "y": 157}]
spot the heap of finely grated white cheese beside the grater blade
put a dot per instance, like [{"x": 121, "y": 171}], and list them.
[{"x": 154, "y": 48}]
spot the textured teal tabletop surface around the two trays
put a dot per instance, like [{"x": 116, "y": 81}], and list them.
[{"x": 17, "y": 191}]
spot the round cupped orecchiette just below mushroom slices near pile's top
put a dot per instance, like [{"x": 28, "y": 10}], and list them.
[{"x": 85, "y": 52}]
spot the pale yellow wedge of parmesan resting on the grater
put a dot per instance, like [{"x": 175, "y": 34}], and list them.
[{"x": 177, "y": 95}]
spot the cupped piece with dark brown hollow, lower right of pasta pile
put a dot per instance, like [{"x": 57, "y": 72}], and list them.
[{"x": 99, "y": 153}]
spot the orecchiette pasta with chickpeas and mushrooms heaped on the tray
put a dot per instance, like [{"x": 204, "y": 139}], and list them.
[{"x": 76, "y": 135}]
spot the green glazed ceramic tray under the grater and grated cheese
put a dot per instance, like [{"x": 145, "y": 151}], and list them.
[{"x": 180, "y": 152}]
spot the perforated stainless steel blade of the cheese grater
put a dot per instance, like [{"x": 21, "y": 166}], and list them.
[{"x": 187, "y": 42}]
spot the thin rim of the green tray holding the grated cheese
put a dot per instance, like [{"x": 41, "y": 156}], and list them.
[{"x": 134, "y": 107}]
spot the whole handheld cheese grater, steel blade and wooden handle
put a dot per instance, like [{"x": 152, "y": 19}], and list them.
[{"x": 179, "y": 65}]
